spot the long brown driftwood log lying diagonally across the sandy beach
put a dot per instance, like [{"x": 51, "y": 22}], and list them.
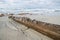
[{"x": 51, "y": 30}]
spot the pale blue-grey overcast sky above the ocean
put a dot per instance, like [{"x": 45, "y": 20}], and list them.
[{"x": 30, "y": 4}]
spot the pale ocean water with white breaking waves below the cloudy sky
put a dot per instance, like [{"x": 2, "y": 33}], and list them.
[{"x": 43, "y": 11}]
